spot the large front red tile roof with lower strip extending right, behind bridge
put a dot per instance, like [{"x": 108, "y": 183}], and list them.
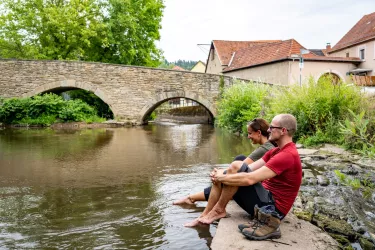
[{"x": 277, "y": 51}]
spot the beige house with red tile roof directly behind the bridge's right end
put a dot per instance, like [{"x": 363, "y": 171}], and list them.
[{"x": 275, "y": 61}]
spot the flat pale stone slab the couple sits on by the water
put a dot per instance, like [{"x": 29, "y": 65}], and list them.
[{"x": 296, "y": 234}]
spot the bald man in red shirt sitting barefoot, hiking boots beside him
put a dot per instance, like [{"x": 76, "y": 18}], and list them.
[{"x": 280, "y": 172}]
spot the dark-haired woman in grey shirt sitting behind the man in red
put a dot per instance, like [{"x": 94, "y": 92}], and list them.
[{"x": 257, "y": 133}]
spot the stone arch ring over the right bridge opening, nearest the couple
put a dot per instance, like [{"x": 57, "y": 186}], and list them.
[{"x": 165, "y": 96}]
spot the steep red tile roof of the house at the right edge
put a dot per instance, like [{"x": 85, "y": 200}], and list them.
[{"x": 364, "y": 30}]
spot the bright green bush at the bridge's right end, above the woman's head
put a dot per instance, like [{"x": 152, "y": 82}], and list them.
[{"x": 239, "y": 104}]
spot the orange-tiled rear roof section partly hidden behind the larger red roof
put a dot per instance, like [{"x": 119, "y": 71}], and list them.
[{"x": 225, "y": 49}]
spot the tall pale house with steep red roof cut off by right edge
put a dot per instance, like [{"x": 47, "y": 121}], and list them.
[{"x": 359, "y": 42}]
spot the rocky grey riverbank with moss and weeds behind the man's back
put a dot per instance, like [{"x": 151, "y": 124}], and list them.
[{"x": 337, "y": 195}]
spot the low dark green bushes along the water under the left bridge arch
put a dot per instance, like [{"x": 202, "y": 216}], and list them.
[{"x": 44, "y": 110}]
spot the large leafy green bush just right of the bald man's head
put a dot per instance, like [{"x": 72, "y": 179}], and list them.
[{"x": 318, "y": 107}]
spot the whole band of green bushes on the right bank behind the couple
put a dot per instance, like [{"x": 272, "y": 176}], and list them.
[{"x": 326, "y": 113}]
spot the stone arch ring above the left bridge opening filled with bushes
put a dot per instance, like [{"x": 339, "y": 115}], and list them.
[{"x": 73, "y": 84}]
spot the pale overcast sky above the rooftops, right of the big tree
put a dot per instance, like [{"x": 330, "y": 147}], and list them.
[{"x": 313, "y": 23}]
